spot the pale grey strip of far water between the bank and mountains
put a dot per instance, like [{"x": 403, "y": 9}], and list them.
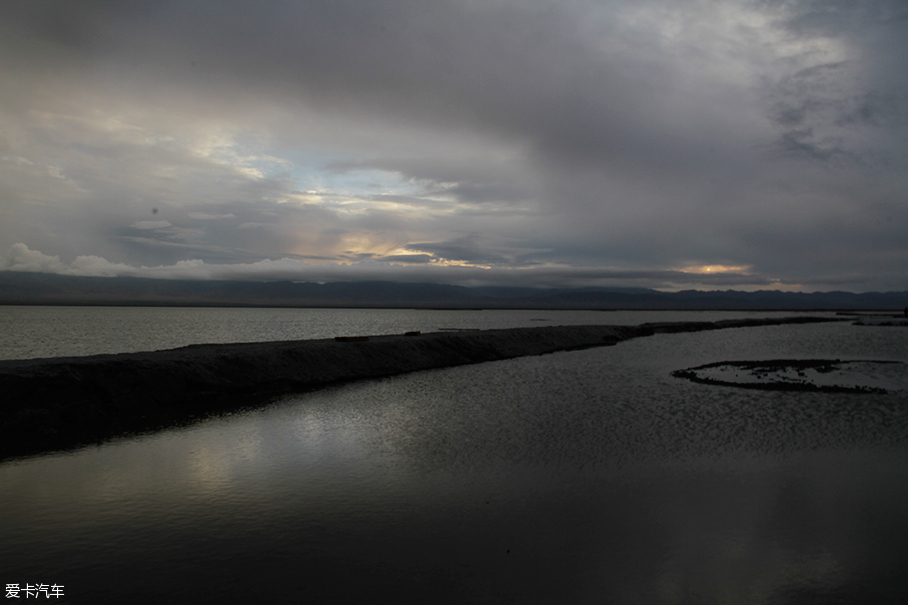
[{"x": 30, "y": 332}]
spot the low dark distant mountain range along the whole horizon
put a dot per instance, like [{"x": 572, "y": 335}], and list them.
[{"x": 18, "y": 288}]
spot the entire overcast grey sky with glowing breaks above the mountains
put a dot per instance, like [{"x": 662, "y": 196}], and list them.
[{"x": 668, "y": 144}]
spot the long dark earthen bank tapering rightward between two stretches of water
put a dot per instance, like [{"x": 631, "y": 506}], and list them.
[{"x": 59, "y": 403}]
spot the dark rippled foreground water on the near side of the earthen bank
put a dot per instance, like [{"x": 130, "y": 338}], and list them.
[{"x": 580, "y": 477}]
